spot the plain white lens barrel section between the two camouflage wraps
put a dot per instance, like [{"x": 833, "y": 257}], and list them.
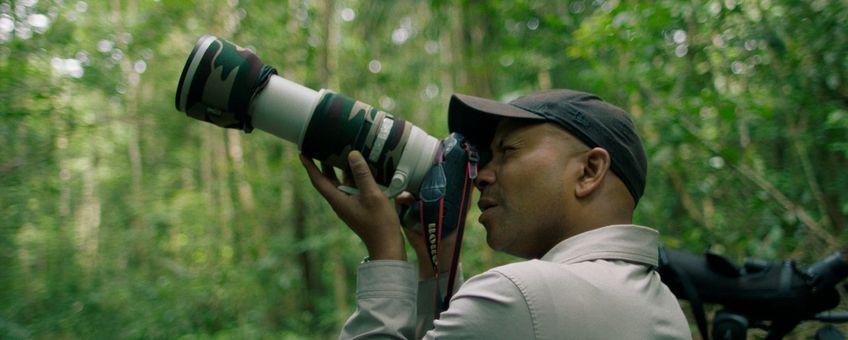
[{"x": 283, "y": 108}]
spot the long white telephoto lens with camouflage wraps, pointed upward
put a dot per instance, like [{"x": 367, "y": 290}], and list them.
[{"x": 229, "y": 86}]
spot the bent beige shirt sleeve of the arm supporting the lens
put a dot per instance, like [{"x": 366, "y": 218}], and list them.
[{"x": 487, "y": 306}]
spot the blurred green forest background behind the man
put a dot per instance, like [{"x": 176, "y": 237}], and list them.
[{"x": 122, "y": 218}]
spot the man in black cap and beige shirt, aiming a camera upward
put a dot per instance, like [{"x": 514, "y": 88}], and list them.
[{"x": 563, "y": 175}]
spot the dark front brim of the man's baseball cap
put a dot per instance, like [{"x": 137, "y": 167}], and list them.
[{"x": 476, "y": 118}]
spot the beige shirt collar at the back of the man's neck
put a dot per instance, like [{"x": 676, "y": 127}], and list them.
[{"x": 615, "y": 242}]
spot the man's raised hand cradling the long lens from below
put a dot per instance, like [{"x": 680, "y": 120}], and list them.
[{"x": 369, "y": 214}]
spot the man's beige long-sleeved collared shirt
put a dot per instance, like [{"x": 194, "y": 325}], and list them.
[{"x": 600, "y": 284}]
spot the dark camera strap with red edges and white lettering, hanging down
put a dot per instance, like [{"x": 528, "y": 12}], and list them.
[{"x": 456, "y": 161}]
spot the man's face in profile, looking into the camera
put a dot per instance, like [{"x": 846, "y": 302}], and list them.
[{"x": 528, "y": 187}]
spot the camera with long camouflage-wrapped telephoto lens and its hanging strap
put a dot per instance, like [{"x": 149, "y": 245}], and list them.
[{"x": 227, "y": 85}]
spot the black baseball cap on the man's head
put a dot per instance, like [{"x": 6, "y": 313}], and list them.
[{"x": 586, "y": 116}]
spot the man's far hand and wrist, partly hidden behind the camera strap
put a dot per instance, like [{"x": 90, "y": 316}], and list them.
[{"x": 416, "y": 238}]
